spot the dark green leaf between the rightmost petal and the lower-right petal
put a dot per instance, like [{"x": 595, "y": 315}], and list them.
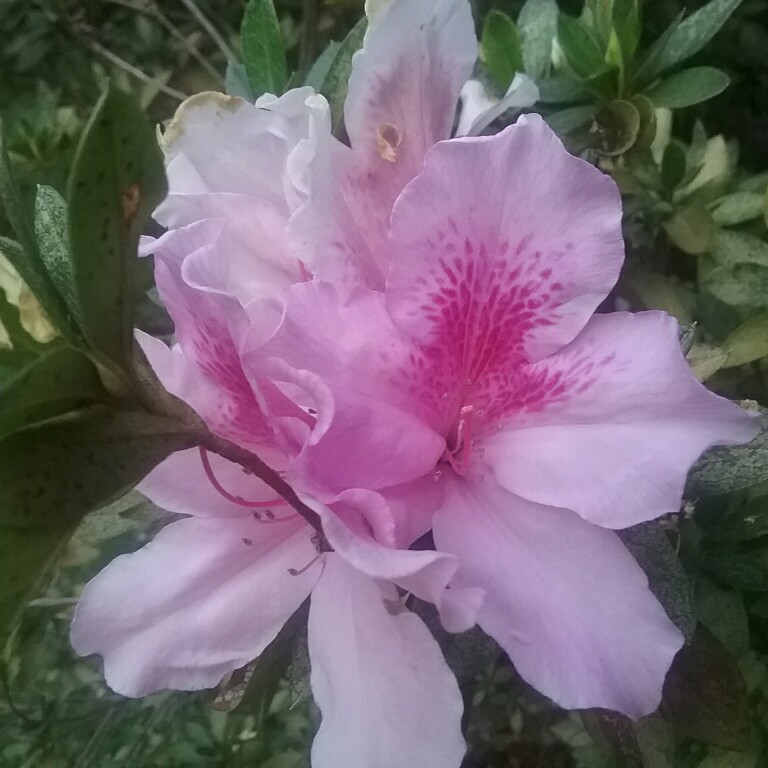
[{"x": 650, "y": 546}]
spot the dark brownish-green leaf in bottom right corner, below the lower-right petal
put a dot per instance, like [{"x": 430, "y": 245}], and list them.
[{"x": 704, "y": 695}]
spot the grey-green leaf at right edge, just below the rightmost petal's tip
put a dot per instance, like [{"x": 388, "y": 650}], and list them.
[{"x": 726, "y": 469}]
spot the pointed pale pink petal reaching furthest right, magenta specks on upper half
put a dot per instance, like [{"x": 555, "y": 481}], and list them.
[{"x": 610, "y": 425}]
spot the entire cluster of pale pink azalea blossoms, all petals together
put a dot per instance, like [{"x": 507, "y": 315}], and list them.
[{"x": 404, "y": 328}]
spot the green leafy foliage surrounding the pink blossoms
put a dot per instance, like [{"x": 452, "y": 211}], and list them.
[{"x": 696, "y": 214}]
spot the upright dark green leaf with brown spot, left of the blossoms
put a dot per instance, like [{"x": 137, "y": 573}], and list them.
[{"x": 117, "y": 180}]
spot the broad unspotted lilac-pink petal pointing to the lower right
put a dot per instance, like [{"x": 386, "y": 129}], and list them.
[{"x": 564, "y": 598}]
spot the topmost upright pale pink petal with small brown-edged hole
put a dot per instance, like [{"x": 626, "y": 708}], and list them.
[{"x": 403, "y": 92}]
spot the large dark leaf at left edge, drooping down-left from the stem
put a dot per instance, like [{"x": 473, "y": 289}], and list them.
[{"x": 53, "y": 473}]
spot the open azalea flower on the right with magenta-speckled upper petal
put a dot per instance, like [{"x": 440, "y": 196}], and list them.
[{"x": 552, "y": 426}]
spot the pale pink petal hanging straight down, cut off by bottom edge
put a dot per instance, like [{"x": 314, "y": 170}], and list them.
[{"x": 387, "y": 697}]
